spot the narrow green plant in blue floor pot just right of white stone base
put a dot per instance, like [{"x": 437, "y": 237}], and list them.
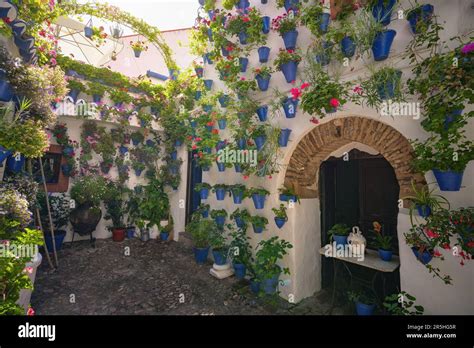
[{"x": 240, "y": 252}]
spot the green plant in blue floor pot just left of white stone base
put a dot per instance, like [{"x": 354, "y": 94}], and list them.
[{"x": 201, "y": 231}]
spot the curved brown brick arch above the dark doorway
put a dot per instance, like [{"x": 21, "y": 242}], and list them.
[{"x": 316, "y": 146}]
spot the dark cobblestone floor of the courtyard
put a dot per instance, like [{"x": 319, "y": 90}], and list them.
[{"x": 157, "y": 278}]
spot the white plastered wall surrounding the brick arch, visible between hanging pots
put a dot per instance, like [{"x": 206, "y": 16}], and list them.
[{"x": 303, "y": 227}]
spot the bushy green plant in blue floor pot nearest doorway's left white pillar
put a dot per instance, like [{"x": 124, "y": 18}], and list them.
[{"x": 269, "y": 253}]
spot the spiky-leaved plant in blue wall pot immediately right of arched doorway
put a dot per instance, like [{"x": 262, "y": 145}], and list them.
[{"x": 425, "y": 201}]
